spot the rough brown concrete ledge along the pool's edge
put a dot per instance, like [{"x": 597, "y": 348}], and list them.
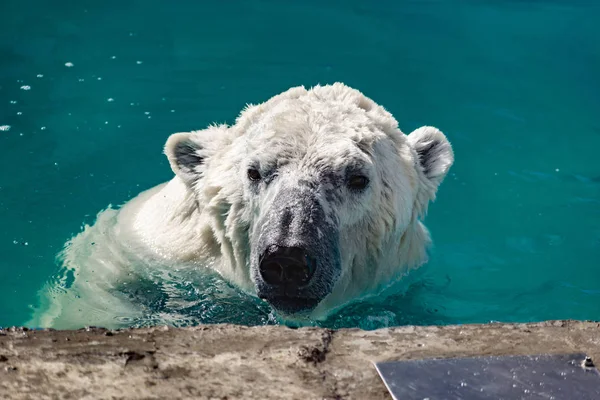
[{"x": 270, "y": 362}]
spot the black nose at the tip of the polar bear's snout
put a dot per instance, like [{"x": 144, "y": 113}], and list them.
[{"x": 286, "y": 266}]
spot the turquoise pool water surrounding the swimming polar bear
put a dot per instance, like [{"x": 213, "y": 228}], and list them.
[{"x": 89, "y": 93}]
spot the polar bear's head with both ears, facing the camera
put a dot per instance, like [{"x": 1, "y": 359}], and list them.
[{"x": 314, "y": 197}]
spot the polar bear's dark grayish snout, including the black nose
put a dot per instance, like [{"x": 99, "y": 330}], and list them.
[{"x": 295, "y": 258}]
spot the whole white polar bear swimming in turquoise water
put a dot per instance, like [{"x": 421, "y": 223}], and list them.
[{"x": 309, "y": 201}]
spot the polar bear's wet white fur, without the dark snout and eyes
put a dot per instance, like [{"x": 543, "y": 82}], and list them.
[{"x": 204, "y": 216}]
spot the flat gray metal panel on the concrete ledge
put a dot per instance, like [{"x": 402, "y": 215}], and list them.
[{"x": 547, "y": 377}]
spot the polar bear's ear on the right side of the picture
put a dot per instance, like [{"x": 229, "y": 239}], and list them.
[{"x": 434, "y": 159}]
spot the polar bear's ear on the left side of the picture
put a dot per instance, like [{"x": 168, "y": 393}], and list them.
[{"x": 186, "y": 154}]
